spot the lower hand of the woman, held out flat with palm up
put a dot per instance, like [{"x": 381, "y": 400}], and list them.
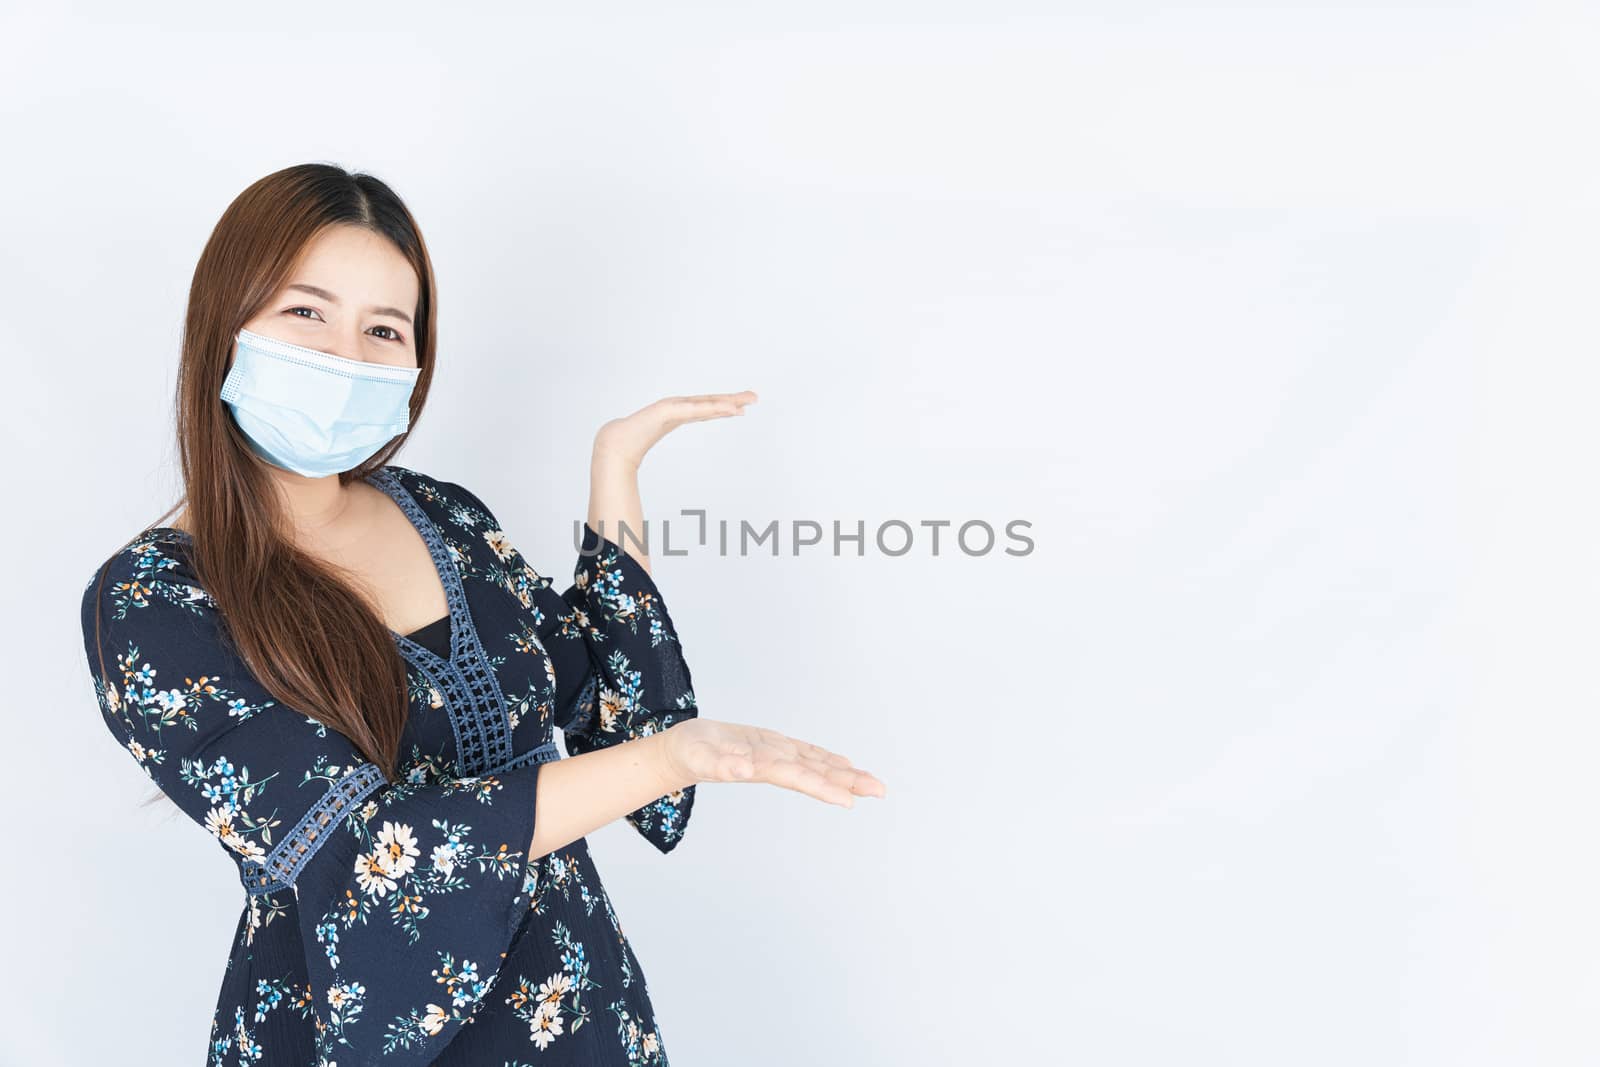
[{"x": 711, "y": 751}]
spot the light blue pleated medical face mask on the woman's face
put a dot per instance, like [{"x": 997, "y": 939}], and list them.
[{"x": 311, "y": 412}]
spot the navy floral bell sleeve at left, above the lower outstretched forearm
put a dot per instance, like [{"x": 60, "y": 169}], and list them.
[{"x": 407, "y": 893}]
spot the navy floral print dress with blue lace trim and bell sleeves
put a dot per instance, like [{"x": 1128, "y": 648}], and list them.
[{"x": 404, "y": 921}]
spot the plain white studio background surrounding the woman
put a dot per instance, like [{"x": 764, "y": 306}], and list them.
[{"x": 1276, "y": 321}]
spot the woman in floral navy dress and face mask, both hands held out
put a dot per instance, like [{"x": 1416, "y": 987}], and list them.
[{"x": 346, "y": 673}]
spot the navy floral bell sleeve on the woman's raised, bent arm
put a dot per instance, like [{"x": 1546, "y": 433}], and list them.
[{"x": 639, "y": 681}]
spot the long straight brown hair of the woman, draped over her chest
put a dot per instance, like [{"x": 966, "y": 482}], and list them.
[{"x": 300, "y": 626}]
